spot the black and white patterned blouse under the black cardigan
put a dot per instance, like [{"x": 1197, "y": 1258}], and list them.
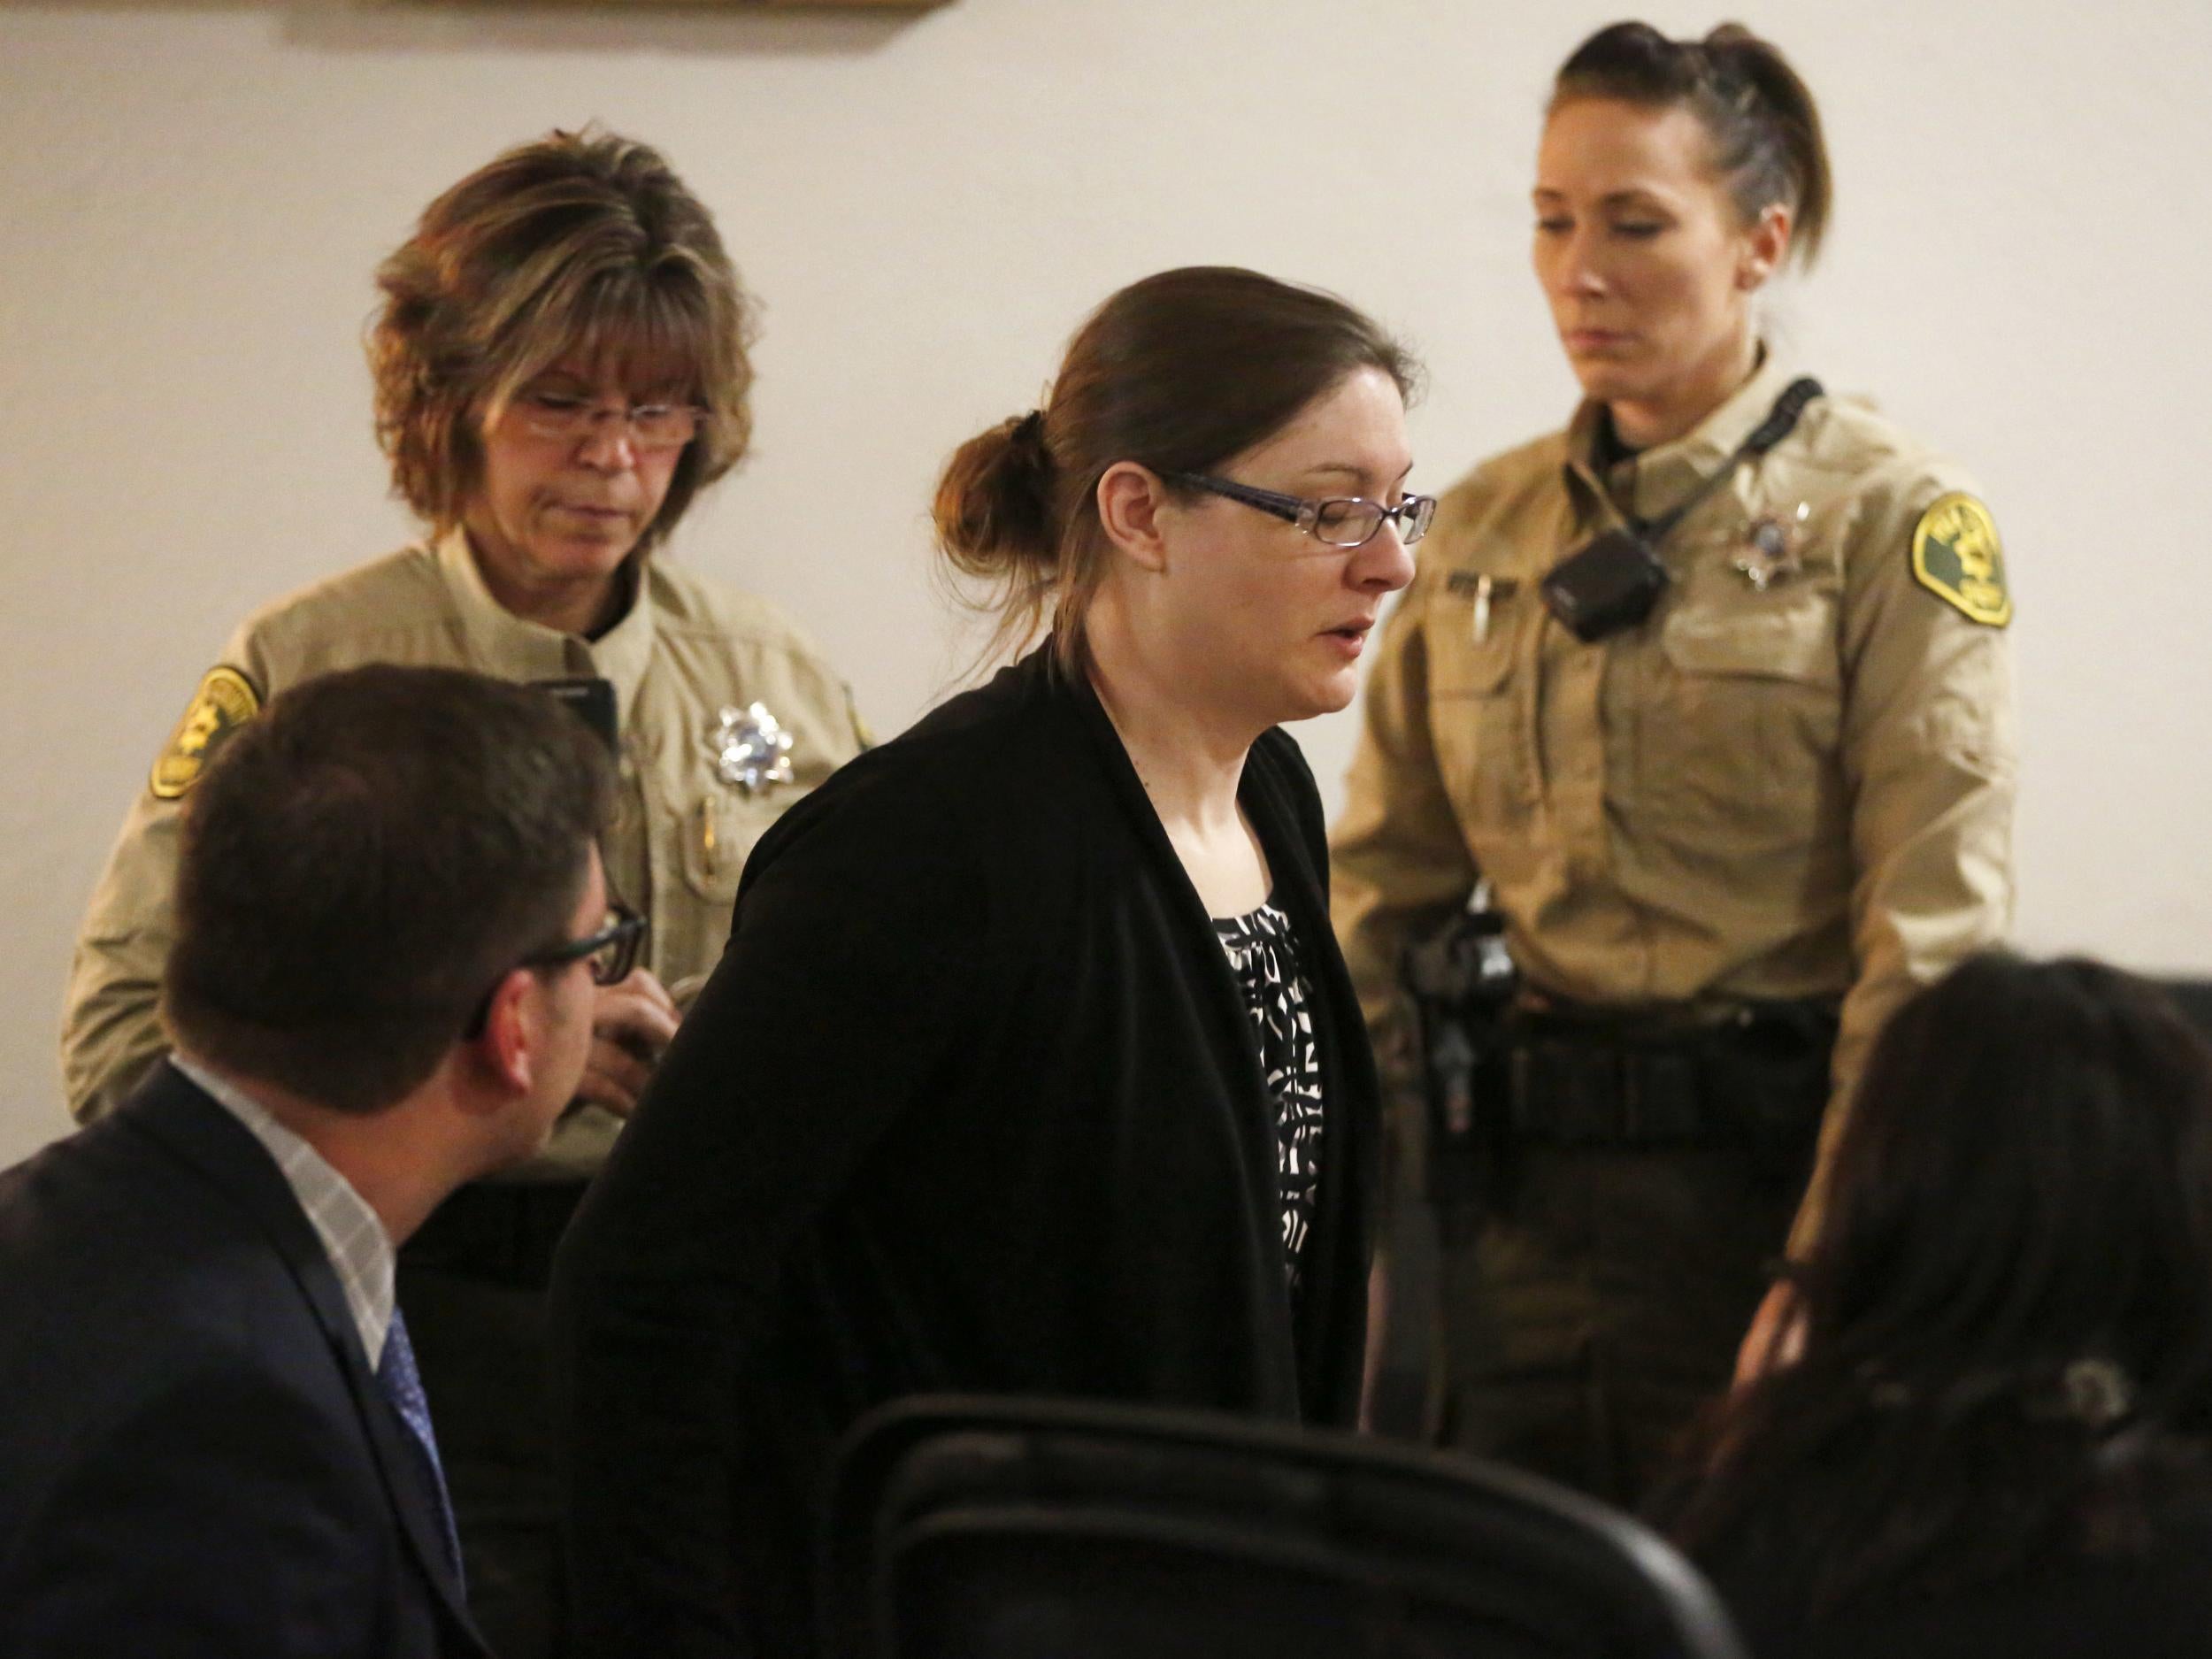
[{"x": 1264, "y": 954}]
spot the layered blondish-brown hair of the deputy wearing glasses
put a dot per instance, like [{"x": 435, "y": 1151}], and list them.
[{"x": 583, "y": 249}]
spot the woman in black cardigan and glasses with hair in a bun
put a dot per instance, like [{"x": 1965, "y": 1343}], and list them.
[{"x": 1032, "y": 1065}]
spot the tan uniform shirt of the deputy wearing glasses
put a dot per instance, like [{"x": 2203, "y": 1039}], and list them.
[{"x": 685, "y": 651}]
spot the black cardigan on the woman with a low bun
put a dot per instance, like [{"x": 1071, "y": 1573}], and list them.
[{"x": 974, "y": 1105}]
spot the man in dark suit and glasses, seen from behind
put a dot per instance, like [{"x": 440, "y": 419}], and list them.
[{"x": 390, "y": 915}]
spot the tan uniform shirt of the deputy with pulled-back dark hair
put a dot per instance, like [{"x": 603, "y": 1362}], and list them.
[{"x": 1780, "y": 791}]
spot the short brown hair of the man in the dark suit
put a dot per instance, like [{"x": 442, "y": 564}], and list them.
[{"x": 364, "y": 862}]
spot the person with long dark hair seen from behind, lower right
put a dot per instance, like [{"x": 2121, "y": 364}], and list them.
[{"x": 1996, "y": 1434}]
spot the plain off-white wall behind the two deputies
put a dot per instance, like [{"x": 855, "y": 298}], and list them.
[{"x": 194, "y": 198}]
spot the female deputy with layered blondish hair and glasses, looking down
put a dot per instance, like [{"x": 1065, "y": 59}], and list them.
[{"x": 561, "y": 368}]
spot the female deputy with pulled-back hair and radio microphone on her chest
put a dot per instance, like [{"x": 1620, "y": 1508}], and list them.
[{"x": 1722, "y": 837}]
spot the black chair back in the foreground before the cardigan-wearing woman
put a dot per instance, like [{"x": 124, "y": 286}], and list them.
[{"x": 1023, "y": 1530}]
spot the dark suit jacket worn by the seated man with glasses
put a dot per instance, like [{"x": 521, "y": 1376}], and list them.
[{"x": 194, "y": 1452}]
